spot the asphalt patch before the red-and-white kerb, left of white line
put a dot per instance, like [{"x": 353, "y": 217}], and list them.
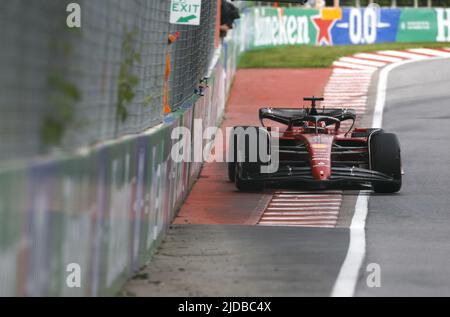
[{"x": 243, "y": 261}]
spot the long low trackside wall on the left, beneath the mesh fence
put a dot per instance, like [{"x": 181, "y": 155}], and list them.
[{"x": 102, "y": 211}]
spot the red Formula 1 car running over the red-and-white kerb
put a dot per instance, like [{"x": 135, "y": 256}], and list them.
[{"x": 311, "y": 149}]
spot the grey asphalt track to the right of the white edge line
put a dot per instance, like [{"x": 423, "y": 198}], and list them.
[{"x": 408, "y": 234}]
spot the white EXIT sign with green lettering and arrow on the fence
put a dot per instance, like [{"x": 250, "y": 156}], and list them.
[{"x": 186, "y": 12}]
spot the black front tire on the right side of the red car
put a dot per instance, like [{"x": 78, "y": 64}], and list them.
[{"x": 386, "y": 159}]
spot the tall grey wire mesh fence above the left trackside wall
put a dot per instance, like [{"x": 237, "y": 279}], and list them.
[{"x": 62, "y": 88}]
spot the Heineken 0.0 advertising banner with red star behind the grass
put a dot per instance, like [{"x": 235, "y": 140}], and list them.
[{"x": 267, "y": 27}]
